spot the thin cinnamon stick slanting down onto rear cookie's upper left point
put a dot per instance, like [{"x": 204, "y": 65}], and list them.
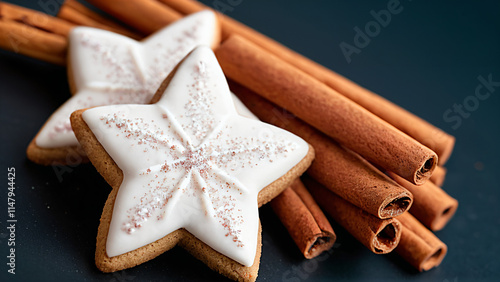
[{"x": 74, "y": 12}]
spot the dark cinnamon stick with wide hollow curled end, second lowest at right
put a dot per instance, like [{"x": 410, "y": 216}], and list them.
[{"x": 381, "y": 236}]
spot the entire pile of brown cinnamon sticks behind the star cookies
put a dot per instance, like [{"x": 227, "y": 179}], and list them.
[{"x": 378, "y": 168}]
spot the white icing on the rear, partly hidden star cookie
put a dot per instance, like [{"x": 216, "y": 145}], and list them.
[{"x": 108, "y": 68}]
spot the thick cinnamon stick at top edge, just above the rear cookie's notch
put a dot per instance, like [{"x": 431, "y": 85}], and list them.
[{"x": 147, "y": 16}]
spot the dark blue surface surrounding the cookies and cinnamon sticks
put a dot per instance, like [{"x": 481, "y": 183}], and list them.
[{"x": 427, "y": 59}]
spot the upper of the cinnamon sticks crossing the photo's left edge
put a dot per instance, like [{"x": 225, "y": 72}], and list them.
[{"x": 34, "y": 19}]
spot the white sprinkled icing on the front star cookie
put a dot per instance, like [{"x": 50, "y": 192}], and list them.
[{"x": 191, "y": 161}]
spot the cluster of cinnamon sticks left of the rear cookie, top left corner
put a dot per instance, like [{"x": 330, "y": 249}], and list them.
[{"x": 44, "y": 37}]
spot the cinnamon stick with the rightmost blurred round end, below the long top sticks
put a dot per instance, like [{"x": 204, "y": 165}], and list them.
[{"x": 432, "y": 206}]
